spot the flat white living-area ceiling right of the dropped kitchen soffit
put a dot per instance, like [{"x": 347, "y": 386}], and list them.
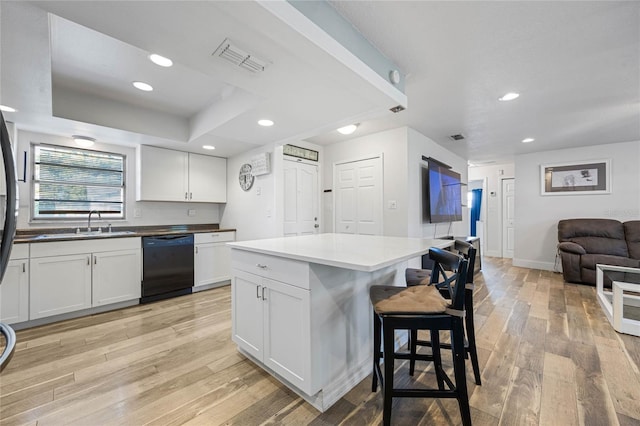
[{"x": 576, "y": 65}]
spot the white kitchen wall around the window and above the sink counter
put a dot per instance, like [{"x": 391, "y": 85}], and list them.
[{"x": 151, "y": 213}]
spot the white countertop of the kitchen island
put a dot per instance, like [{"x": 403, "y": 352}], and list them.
[{"x": 357, "y": 252}]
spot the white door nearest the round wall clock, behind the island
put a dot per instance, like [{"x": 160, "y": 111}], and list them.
[{"x": 300, "y": 198}]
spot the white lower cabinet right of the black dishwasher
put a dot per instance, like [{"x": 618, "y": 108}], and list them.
[{"x": 212, "y": 257}]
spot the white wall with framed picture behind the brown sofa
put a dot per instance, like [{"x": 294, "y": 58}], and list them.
[{"x": 537, "y": 216}]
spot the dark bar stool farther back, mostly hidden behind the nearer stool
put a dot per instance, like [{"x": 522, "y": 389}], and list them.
[{"x": 422, "y": 276}]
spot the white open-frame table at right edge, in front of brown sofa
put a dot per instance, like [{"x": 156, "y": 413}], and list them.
[{"x": 623, "y": 297}]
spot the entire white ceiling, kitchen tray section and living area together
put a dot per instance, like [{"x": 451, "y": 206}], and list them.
[{"x": 576, "y": 65}]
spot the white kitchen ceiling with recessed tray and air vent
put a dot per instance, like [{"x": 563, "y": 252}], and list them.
[{"x": 68, "y": 67}]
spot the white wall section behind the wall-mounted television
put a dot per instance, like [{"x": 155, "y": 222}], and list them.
[{"x": 419, "y": 145}]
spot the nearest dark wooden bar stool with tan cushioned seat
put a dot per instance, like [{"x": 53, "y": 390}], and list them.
[{"x": 422, "y": 308}]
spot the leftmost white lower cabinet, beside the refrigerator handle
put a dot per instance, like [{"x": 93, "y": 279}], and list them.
[{"x": 14, "y": 291}]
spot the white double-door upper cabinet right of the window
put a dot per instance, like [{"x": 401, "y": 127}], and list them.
[{"x": 168, "y": 175}]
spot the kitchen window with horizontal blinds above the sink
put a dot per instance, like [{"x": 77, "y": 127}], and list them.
[{"x": 68, "y": 183}]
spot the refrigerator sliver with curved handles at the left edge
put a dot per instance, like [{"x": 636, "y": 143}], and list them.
[{"x": 8, "y": 216}]
